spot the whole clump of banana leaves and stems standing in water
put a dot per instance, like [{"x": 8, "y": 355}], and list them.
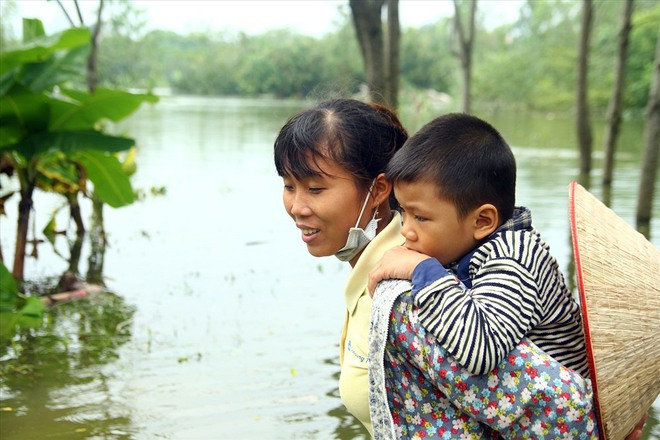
[{"x": 53, "y": 139}]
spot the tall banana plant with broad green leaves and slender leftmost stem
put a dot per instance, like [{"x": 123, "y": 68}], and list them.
[{"x": 41, "y": 114}]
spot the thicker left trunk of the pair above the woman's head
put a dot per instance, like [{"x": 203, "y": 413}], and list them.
[{"x": 369, "y": 31}]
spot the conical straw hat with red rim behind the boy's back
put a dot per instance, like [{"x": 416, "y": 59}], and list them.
[{"x": 618, "y": 276}]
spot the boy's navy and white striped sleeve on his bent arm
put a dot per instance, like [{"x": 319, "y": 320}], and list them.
[{"x": 479, "y": 325}]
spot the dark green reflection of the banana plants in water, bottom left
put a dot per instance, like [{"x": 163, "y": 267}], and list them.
[{"x": 54, "y": 379}]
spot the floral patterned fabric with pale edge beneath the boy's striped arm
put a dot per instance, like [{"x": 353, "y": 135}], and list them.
[{"x": 416, "y": 390}]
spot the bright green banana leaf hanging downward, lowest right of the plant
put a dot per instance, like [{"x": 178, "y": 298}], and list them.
[{"x": 111, "y": 183}]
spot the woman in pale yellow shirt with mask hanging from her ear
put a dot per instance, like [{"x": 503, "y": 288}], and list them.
[{"x": 332, "y": 159}]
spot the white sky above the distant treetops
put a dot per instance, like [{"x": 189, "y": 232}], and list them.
[{"x": 311, "y": 17}]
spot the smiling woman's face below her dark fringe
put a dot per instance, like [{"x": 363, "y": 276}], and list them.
[{"x": 325, "y": 207}]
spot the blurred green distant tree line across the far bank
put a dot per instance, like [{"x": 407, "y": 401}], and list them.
[{"x": 528, "y": 63}]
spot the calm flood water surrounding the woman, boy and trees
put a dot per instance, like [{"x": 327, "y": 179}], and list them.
[{"x": 218, "y": 324}]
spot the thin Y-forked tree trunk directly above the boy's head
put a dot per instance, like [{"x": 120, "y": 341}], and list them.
[{"x": 465, "y": 44}]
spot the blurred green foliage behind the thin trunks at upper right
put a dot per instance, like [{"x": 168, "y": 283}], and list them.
[{"x": 532, "y": 62}]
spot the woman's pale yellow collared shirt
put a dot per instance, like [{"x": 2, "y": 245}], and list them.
[{"x": 354, "y": 344}]
